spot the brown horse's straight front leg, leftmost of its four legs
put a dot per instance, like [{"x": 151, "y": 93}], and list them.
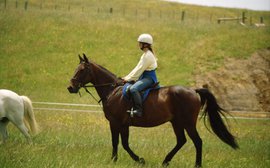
[{"x": 115, "y": 141}]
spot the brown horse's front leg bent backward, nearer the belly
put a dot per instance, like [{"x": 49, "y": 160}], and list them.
[{"x": 124, "y": 138}]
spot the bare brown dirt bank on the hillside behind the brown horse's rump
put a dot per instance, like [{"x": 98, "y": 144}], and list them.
[{"x": 241, "y": 85}]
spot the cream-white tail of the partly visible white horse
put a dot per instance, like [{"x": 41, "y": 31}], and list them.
[{"x": 29, "y": 114}]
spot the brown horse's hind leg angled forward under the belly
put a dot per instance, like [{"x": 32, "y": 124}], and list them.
[{"x": 181, "y": 140}]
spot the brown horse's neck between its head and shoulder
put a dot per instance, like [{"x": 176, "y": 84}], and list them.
[{"x": 103, "y": 77}]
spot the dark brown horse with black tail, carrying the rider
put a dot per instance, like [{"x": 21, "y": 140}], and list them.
[{"x": 176, "y": 104}]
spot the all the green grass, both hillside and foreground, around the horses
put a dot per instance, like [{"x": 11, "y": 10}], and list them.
[{"x": 38, "y": 54}]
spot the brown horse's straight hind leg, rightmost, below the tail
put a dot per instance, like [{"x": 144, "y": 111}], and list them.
[{"x": 193, "y": 134}]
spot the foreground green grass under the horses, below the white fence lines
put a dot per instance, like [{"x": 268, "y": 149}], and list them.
[{"x": 83, "y": 140}]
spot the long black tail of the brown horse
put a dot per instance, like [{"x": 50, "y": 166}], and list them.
[{"x": 214, "y": 110}]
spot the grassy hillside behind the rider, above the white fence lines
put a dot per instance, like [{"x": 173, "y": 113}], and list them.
[{"x": 39, "y": 46}]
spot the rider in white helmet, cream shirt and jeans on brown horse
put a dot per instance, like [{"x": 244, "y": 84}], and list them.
[{"x": 144, "y": 74}]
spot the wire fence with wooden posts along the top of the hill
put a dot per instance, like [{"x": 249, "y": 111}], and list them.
[{"x": 176, "y": 15}]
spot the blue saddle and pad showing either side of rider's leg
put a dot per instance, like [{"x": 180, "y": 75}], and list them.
[{"x": 144, "y": 93}]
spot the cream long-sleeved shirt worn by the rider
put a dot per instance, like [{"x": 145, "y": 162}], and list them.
[{"x": 148, "y": 62}]
